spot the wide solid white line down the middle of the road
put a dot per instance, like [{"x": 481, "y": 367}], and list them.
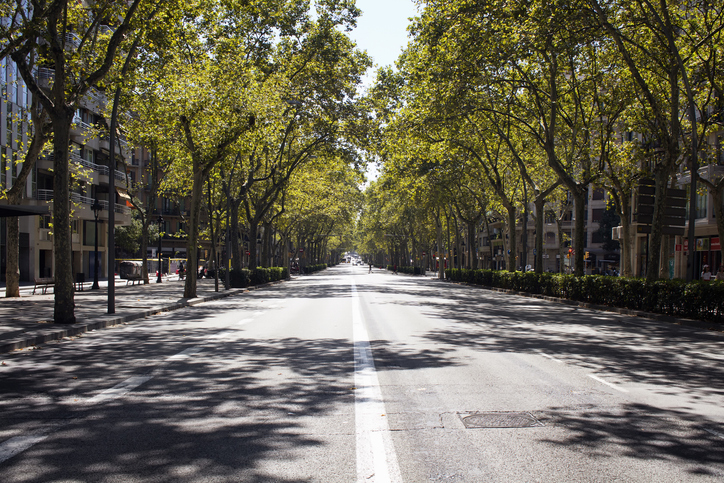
[{"x": 376, "y": 457}]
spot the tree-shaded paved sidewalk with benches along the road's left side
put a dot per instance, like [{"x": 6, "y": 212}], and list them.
[{"x": 28, "y": 321}]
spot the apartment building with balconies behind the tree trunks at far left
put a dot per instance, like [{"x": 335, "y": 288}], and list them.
[{"x": 91, "y": 167}]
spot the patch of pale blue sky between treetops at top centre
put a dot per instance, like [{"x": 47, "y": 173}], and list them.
[{"x": 382, "y": 29}]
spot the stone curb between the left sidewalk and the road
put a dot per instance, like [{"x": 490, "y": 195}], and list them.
[{"x": 42, "y": 336}]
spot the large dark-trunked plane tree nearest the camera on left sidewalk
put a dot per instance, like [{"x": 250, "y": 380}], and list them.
[{"x": 77, "y": 44}]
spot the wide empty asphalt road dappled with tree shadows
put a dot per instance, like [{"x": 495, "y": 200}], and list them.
[{"x": 344, "y": 376}]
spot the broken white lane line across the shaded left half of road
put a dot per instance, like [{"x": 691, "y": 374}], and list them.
[{"x": 18, "y": 444}]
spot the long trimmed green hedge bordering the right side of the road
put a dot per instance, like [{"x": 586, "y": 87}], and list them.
[{"x": 699, "y": 300}]
